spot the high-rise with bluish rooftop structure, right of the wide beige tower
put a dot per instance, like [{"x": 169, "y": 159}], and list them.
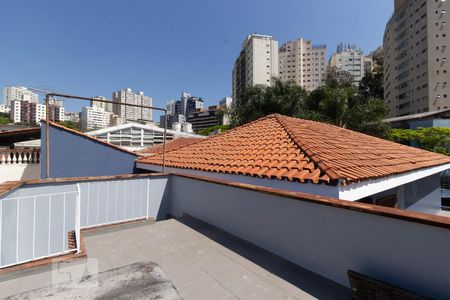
[{"x": 350, "y": 59}]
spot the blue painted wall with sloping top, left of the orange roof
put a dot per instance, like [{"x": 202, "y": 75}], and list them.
[{"x": 73, "y": 155}]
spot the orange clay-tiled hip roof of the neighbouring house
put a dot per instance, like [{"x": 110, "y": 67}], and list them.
[{"x": 282, "y": 147}]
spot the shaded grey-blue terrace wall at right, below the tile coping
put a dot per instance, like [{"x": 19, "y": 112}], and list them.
[{"x": 325, "y": 239}]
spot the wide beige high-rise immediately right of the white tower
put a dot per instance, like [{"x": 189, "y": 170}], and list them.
[{"x": 303, "y": 63}]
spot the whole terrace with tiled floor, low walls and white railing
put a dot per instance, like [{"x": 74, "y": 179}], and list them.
[{"x": 223, "y": 239}]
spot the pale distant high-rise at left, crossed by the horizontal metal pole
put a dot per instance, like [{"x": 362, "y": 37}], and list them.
[{"x": 129, "y": 112}]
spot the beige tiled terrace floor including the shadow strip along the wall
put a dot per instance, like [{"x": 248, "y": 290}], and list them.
[{"x": 201, "y": 261}]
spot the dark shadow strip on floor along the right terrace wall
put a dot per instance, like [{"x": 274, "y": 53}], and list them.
[{"x": 312, "y": 283}]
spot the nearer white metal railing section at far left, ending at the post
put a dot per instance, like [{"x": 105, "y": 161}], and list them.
[{"x": 35, "y": 227}]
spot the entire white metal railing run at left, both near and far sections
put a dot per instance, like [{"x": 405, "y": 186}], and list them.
[{"x": 39, "y": 225}]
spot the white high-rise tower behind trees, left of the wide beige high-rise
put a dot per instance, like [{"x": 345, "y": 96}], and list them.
[{"x": 257, "y": 64}]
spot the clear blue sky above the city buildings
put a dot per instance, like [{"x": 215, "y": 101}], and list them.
[{"x": 163, "y": 47}]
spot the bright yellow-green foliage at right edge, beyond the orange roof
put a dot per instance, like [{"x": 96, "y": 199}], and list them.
[{"x": 436, "y": 139}]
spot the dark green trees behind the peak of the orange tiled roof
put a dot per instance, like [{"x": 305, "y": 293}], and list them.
[{"x": 339, "y": 103}]
